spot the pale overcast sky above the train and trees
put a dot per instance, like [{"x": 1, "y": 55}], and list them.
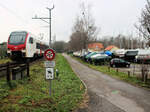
[{"x": 112, "y": 16}]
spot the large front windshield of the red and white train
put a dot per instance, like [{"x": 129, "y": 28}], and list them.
[{"x": 17, "y": 38}]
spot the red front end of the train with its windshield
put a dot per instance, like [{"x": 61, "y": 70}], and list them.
[{"x": 16, "y": 45}]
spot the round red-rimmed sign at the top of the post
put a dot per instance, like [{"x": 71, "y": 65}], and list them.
[{"x": 49, "y": 54}]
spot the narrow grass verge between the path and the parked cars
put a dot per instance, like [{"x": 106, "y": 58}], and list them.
[{"x": 119, "y": 75}]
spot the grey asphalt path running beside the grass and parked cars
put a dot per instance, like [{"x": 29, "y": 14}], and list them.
[{"x": 107, "y": 94}]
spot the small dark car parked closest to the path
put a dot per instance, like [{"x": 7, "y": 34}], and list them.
[{"x": 116, "y": 62}]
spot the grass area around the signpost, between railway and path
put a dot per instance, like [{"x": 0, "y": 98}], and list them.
[{"x": 33, "y": 95}]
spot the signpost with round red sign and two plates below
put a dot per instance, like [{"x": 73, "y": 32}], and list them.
[{"x": 49, "y": 54}]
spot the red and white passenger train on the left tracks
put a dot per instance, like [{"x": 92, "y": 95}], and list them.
[{"x": 23, "y": 45}]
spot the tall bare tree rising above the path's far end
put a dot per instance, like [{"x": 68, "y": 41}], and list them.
[{"x": 84, "y": 30}]
